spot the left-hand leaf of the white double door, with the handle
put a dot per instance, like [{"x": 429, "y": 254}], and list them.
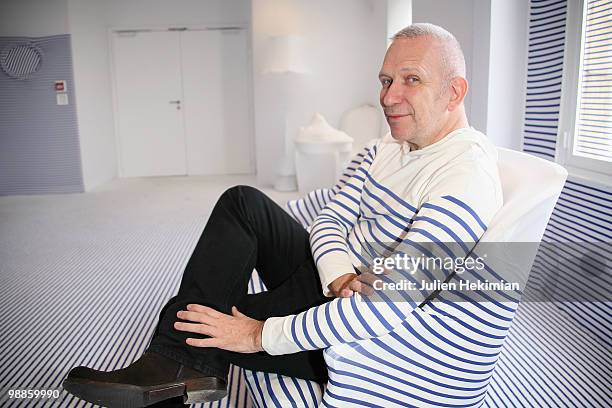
[{"x": 147, "y": 71}]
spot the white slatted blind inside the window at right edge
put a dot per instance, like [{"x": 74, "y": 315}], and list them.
[{"x": 594, "y": 117}]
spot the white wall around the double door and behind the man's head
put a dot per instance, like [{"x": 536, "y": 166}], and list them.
[{"x": 344, "y": 43}]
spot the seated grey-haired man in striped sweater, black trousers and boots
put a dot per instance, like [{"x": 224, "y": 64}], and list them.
[{"x": 432, "y": 180}]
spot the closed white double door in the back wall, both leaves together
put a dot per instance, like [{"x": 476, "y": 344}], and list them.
[{"x": 182, "y": 102}]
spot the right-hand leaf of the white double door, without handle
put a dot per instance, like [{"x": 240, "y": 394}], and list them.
[{"x": 216, "y": 91}]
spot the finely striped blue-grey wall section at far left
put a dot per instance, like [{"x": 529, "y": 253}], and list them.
[{"x": 39, "y": 140}]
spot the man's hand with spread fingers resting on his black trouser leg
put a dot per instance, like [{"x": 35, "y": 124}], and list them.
[{"x": 235, "y": 332}]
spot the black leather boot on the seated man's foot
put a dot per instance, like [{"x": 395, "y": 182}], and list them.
[{"x": 150, "y": 379}]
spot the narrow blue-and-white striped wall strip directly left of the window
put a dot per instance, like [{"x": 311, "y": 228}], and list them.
[{"x": 544, "y": 72}]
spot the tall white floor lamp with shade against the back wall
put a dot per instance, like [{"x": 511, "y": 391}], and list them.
[{"x": 285, "y": 59}]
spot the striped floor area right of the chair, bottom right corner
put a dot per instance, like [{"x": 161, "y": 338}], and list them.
[{"x": 551, "y": 360}]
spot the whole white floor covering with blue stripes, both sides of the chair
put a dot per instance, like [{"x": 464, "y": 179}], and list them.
[{"x": 83, "y": 277}]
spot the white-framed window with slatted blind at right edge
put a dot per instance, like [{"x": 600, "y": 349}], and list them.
[{"x": 585, "y": 125}]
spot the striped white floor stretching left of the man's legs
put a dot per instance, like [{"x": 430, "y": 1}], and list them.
[{"x": 83, "y": 276}]
